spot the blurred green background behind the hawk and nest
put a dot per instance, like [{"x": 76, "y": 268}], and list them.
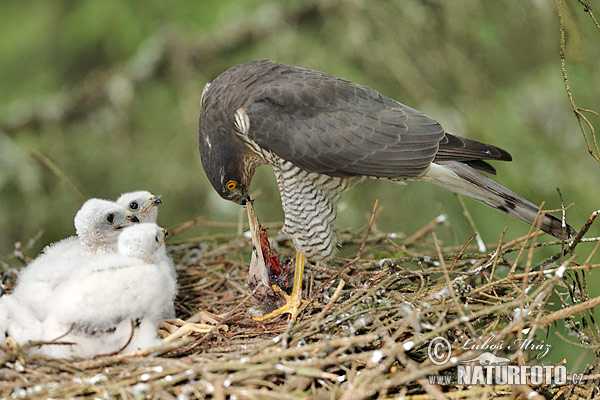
[{"x": 110, "y": 91}]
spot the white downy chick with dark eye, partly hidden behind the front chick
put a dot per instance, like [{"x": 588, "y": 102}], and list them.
[{"x": 98, "y": 224}]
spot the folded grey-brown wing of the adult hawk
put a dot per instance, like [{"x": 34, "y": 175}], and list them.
[{"x": 331, "y": 126}]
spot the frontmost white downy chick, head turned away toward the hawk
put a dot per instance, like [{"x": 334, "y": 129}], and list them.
[{"x": 113, "y": 304}]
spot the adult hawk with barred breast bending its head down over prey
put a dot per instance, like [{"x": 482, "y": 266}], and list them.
[{"x": 321, "y": 134}]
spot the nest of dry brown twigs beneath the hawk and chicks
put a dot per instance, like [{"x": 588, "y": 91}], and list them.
[{"x": 363, "y": 334}]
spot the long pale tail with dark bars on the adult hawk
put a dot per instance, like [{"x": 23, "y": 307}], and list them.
[{"x": 462, "y": 179}]
